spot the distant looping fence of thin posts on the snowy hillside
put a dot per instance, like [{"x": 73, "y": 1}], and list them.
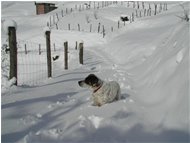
[{"x": 141, "y": 9}]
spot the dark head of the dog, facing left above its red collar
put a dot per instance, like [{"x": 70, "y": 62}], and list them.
[{"x": 91, "y": 81}]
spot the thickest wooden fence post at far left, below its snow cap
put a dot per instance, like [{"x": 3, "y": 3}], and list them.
[{"x": 13, "y": 53}]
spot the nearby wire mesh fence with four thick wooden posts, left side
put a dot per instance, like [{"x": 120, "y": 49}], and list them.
[{"x": 32, "y": 63}]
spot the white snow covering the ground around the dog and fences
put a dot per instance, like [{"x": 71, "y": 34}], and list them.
[{"x": 148, "y": 57}]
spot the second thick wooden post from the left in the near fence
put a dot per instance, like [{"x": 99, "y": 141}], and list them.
[{"x": 48, "y": 46}]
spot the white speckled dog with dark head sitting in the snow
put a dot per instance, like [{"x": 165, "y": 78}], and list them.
[{"x": 102, "y": 92}]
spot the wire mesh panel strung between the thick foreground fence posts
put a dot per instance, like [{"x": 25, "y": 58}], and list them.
[{"x": 32, "y": 61}]
